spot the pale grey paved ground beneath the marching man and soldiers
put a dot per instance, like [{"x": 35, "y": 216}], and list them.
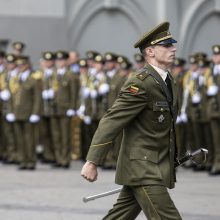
[{"x": 51, "y": 194}]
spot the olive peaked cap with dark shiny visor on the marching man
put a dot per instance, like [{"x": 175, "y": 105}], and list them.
[{"x": 158, "y": 35}]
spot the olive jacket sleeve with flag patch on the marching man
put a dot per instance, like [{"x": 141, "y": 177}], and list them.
[{"x": 131, "y": 101}]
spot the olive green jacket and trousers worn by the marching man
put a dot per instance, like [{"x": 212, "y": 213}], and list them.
[{"x": 146, "y": 158}]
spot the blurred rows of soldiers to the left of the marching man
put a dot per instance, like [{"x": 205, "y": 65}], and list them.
[{"x": 57, "y": 108}]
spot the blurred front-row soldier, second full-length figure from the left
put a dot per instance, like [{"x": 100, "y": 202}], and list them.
[{"x": 66, "y": 89}]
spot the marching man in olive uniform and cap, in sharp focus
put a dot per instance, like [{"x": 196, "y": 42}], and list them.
[{"x": 146, "y": 111}]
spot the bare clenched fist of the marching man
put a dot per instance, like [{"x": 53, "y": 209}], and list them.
[{"x": 89, "y": 171}]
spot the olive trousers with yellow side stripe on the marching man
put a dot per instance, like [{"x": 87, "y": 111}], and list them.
[{"x": 154, "y": 200}]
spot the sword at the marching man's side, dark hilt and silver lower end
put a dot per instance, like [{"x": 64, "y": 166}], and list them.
[{"x": 188, "y": 156}]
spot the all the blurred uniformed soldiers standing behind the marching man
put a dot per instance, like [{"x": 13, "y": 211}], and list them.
[{"x": 51, "y": 113}]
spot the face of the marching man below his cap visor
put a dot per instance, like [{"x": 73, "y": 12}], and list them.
[{"x": 165, "y": 54}]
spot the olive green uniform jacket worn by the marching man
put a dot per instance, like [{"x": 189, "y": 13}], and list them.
[{"x": 147, "y": 151}]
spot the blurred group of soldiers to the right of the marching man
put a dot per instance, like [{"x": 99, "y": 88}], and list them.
[{"x": 198, "y": 122}]
